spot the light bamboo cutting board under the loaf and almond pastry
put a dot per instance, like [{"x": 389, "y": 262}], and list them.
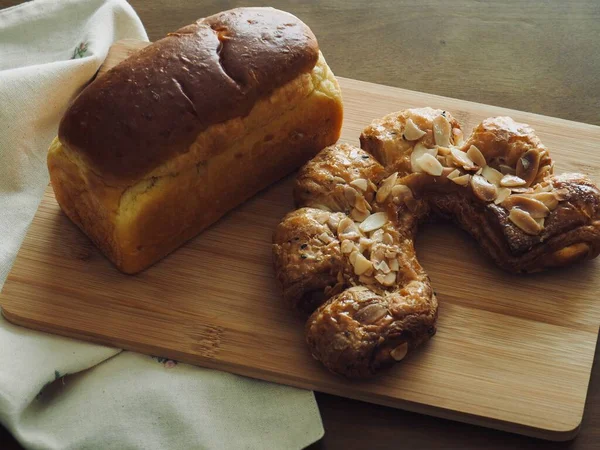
[{"x": 511, "y": 352}]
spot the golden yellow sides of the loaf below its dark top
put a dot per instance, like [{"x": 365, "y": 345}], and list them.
[{"x": 135, "y": 222}]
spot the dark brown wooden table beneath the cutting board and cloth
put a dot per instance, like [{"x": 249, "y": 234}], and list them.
[{"x": 540, "y": 56}]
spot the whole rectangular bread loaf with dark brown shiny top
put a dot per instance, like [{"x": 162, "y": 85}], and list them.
[{"x": 168, "y": 141}]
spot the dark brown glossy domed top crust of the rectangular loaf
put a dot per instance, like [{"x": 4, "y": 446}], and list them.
[{"x": 154, "y": 104}]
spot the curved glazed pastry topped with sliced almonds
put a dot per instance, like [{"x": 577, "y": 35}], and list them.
[{"x": 347, "y": 256}]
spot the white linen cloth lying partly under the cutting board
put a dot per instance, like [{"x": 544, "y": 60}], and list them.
[{"x": 58, "y": 393}]
